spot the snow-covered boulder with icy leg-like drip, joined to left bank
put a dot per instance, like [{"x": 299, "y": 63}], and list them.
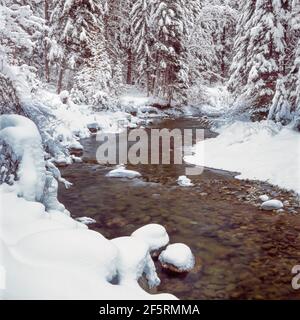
[{"x": 134, "y": 260}]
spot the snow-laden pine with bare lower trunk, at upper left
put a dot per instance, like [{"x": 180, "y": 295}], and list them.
[{"x": 74, "y": 24}]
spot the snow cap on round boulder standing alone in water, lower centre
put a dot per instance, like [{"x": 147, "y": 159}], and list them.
[{"x": 178, "y": 255}]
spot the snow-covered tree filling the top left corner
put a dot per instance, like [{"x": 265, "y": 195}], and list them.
[{"x": 19, "y": 29}]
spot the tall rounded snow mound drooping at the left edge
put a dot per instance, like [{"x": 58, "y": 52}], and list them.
[{"x": 23, "y": 137}]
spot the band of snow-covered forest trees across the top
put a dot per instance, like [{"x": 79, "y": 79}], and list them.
[{"x": 172, "y": 50}]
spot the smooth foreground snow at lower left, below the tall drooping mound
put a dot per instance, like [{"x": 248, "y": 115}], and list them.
[{"x": 48, "y": 255}]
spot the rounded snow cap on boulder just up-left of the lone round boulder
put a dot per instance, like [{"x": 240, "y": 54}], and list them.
[{"x": 154, "y": 235}]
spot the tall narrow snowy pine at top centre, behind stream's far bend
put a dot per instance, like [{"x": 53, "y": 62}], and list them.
[{"x": 170, "y": 53}]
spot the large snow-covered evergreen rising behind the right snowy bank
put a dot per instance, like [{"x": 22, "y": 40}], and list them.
[{"x": 260, "y": 50}]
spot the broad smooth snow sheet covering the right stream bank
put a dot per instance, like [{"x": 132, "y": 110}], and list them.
[{"x": 262, "y": 151}]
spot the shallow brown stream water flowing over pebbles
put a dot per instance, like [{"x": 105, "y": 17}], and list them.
[{"x": 241, "y": 251}]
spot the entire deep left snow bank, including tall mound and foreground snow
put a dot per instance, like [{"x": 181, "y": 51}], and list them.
[{"x": 44, "y": 253}]
